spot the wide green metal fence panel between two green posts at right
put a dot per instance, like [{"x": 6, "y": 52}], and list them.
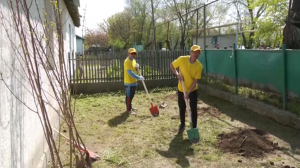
[{"x": 261, "y": 66}]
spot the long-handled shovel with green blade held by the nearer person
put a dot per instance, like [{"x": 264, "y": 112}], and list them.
[{"x": 193, "y": 133}]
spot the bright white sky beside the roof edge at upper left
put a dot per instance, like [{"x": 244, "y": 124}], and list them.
[{"x": 97, "y": 11}]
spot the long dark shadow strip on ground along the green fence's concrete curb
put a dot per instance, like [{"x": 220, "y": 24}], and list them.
[{"x": 287, "y": 134}]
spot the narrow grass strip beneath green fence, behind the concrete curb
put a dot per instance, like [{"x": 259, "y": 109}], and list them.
[{"x": 270, "y": 98}]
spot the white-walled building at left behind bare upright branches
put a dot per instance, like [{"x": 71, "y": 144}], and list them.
[{"x": 22, "y": 142}]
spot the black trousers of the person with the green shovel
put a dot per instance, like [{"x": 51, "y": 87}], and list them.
[{"x": 193, "y": 105}]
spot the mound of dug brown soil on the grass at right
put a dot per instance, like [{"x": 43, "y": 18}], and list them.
[{"x": 247, "y": 143}]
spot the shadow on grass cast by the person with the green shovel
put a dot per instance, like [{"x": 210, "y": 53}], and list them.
[{"x": 179, "y": 149}]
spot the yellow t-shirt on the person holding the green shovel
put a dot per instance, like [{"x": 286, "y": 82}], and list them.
[{"x": 189, "y": 71}]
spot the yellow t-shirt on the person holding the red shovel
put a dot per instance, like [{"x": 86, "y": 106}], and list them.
[{"x": 129, "y": 65}]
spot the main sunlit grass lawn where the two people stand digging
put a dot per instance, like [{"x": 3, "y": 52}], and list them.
[{"x": 143, "y": 141}]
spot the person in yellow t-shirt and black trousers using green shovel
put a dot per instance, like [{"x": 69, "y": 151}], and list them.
[{"x": 191, "y": 70}]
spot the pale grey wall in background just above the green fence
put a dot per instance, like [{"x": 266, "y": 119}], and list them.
[{"x": 223, "y": 40}]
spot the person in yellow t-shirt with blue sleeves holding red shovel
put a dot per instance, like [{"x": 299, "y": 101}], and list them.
[{"x": 131, "y": 78}]
